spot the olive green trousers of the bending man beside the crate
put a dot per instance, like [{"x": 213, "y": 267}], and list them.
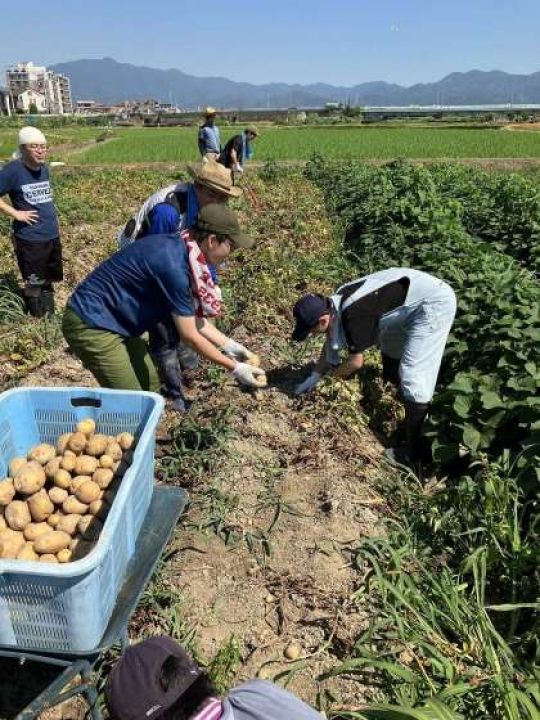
[{"x": 121, "y": 363}]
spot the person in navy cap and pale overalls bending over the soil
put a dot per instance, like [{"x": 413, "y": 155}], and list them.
[{"x": 408, "y": 314}]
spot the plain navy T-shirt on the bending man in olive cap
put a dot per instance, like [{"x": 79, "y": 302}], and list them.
[{"x": 137, "y": 287}]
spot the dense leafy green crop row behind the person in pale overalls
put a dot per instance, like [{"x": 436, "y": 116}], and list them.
[{"x": 488, "y": 396}]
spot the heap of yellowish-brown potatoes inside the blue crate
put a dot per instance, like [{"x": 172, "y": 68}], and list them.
[{"x": 55, "y": 500}]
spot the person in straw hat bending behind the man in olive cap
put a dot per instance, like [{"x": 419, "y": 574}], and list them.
[{"x": 174, "y": 209}]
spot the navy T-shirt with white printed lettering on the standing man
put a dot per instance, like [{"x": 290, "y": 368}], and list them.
[{"x": 30, "y": 190}]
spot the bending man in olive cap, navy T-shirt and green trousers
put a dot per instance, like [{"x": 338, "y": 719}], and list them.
[{"x": 143, "y": 284}]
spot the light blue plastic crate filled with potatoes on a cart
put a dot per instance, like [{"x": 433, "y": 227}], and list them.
[{"x": 76, "y": 480}]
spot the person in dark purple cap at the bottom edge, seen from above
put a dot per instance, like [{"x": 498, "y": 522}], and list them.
[{"x": 157, "y": 679}]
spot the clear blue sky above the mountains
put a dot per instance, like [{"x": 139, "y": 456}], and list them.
[{"x": 342, "y": 42}]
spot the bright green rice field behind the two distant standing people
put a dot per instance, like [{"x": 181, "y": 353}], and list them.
[{"x": 143, "y": 145}]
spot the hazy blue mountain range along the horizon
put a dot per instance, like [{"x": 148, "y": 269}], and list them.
[{"x": 109, "y": 81}]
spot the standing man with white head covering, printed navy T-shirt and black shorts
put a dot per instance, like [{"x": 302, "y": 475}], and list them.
[{"x": 36, "y": 237}]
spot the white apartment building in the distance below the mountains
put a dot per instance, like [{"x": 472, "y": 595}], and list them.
[{"x": 26, "y": 80}]
